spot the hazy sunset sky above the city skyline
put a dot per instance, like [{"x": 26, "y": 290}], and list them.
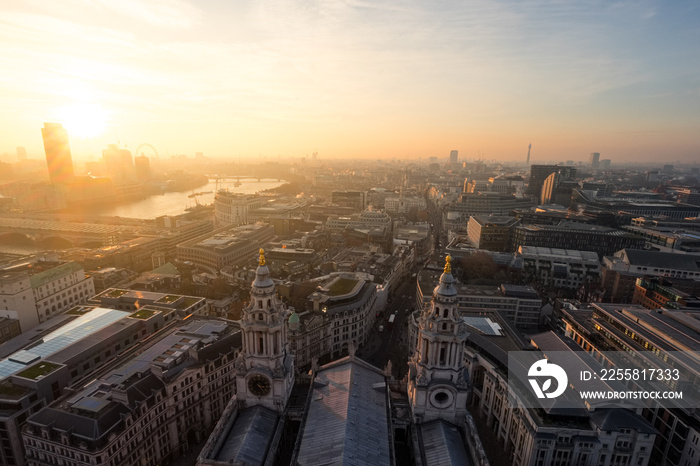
[{"x": 356, "y": 79}]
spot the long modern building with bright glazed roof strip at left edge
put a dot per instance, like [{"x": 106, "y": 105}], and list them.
[{"x": 38, "y": 367}]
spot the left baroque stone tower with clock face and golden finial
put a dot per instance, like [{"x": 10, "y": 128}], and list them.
[{"x": 265, "y": 366}]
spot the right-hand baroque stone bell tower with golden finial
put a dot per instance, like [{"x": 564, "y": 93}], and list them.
[{"x": 437, "y": 380}]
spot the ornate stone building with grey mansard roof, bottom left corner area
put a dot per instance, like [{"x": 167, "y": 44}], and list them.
[{"x": 147, "y": 411}]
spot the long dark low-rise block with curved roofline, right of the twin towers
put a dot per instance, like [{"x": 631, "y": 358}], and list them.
[{"x": 570, "y": 235}]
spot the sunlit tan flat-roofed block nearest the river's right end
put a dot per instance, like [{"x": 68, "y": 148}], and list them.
[{"x": 228, "y": 246}]
